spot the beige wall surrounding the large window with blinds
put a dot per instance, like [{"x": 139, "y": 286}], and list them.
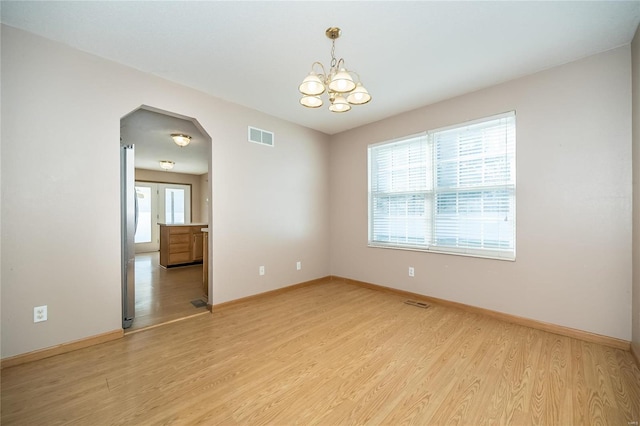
[{"x": 573, "y": 265}]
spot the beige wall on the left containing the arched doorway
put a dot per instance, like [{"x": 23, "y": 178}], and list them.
[{"x": 60, "y": 207}]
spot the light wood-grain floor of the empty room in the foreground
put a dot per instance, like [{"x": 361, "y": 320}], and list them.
[{"x": 329, "y": 354}]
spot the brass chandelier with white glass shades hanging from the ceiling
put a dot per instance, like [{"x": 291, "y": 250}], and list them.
[{"x": 338, "y": 83}]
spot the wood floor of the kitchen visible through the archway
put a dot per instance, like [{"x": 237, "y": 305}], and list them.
[{"x": 164, "y": 295}]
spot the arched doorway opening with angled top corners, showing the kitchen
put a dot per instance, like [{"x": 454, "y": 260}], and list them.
[{"x": 156, "y": 199}]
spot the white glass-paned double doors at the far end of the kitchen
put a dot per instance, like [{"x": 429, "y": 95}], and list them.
[{"x": 159, "y": 203}]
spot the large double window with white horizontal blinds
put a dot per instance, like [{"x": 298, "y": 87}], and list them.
[{"x": 449, "y": 190}]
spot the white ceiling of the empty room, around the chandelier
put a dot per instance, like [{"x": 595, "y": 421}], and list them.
[{"x": 408, "y": 54}]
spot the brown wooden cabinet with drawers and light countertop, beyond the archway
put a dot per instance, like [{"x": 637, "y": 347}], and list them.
[{"x": 180, "y": 244}]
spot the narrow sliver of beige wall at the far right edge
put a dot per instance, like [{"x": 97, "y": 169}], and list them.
[{"x": 635, "y": 51}]
